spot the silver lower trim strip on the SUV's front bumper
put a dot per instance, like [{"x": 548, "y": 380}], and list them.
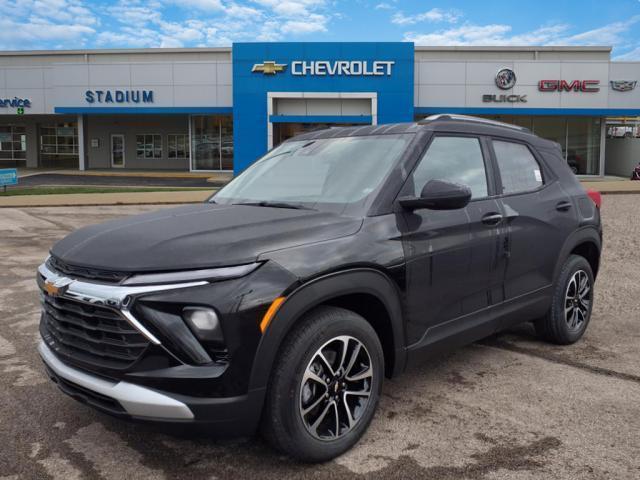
[{"x": 138, "y": 401}]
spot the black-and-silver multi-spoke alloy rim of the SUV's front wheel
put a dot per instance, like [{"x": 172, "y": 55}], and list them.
[{"x": 336, "y": 388}]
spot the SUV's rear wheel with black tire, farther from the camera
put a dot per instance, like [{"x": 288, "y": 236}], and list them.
[{"x": 558, "y": 325}]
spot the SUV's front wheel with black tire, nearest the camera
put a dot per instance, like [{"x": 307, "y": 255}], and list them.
[{"x": 283, "y": 425}]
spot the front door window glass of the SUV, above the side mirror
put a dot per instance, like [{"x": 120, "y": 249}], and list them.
[{"x": 453, "y": 159}]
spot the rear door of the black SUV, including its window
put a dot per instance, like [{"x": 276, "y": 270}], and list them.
[{"x": 539, "y": 215}]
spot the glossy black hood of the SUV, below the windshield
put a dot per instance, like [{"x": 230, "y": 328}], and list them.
[{"x": 197, "y": 236}]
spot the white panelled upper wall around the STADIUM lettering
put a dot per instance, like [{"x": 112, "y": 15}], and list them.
[{"x": 178, "y": 79}]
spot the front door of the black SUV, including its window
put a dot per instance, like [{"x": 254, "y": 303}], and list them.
[{"x": 453, "y": 256}]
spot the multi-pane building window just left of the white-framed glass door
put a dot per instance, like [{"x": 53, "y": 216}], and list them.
[{"x": 59, "y": 145}]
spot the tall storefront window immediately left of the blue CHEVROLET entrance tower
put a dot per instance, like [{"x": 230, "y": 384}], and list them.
[{"x": 212, "y": 142}]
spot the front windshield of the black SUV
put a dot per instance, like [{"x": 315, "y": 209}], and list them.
[{"x": 314, "y": 173}]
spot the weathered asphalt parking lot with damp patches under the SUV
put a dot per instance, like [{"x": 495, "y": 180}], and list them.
[{"x": 509, "y": 407}]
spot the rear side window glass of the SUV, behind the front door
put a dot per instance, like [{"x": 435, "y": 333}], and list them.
[{"x": 519, "y": 170}]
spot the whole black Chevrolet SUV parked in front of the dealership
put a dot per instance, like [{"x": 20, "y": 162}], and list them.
[{"x": 339, "y": 258}]
